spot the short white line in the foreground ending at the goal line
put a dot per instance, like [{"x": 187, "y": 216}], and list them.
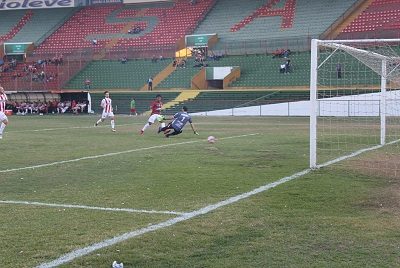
[{"x": 89, "y": 207}]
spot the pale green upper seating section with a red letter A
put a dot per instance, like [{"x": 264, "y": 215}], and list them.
[{"x": 310, "y": 18}]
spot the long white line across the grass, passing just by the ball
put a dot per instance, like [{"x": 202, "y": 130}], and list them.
[{"x": 116, "y": 153}]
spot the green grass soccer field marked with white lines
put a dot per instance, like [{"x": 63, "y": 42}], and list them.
[{"x": 72, "y": 195}]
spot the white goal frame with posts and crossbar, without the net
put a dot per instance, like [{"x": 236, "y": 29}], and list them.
[{"x": 340, "y": 44}]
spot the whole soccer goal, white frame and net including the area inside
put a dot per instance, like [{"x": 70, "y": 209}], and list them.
[{"x": 355, "y": 104}]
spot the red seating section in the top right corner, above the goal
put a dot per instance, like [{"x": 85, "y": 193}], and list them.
[{"x": 380, "y": 20}]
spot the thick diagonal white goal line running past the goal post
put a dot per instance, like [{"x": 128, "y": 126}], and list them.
[{"x": 187, "y": 216}]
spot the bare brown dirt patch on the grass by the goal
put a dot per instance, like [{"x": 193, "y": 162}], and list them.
[{"x": 387, "y": 167}]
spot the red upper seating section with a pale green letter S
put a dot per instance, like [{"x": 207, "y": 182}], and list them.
[{"x": 106, "y": 22}]
